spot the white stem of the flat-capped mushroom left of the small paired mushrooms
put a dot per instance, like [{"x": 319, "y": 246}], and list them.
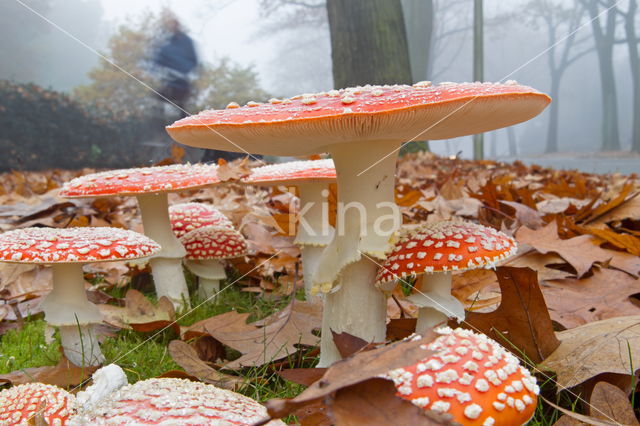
[{"x": 166, "y": 266}]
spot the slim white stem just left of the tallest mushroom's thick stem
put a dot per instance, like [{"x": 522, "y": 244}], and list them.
[{"x": 314, "y": 230}]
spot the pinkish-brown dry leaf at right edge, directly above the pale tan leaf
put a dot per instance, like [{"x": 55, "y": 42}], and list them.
[{"x": 606, "y": 294}]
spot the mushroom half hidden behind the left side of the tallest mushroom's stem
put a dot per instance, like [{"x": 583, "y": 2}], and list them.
[{"x": 312, "y": 179}]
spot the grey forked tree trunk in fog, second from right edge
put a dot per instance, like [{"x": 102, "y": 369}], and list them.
[{"x": 604, "y": 46}]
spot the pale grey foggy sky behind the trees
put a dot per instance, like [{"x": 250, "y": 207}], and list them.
[{"x": 290, "y": 51}]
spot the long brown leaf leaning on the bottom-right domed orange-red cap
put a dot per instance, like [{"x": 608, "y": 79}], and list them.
[{"x": 359, "y": 368}]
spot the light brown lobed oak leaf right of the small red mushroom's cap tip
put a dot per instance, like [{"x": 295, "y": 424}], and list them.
[{"x": 581, "y": 252}]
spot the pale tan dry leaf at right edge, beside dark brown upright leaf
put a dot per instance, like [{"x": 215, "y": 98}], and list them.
[{"x": 605, "y": 346}]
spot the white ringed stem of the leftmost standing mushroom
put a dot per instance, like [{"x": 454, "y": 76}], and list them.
[{"x": 68, "y": 308}]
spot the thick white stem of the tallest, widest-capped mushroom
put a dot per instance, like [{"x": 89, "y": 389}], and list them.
[{"x": 366, "y": 219}]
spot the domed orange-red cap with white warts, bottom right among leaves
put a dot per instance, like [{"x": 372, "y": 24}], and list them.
[{"x": 472, "y": 378}]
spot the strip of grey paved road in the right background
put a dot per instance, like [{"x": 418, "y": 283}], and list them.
[{"x": 586, "y": 164}]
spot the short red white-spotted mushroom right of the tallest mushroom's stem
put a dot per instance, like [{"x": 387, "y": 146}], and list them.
[{"x": 432, "y": 251}]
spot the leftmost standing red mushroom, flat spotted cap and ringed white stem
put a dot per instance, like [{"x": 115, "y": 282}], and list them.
[{"x": 66, "y": 250}]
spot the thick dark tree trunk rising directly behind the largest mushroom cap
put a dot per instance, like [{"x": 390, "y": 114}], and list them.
[{"x": 368, "y": 42}]
